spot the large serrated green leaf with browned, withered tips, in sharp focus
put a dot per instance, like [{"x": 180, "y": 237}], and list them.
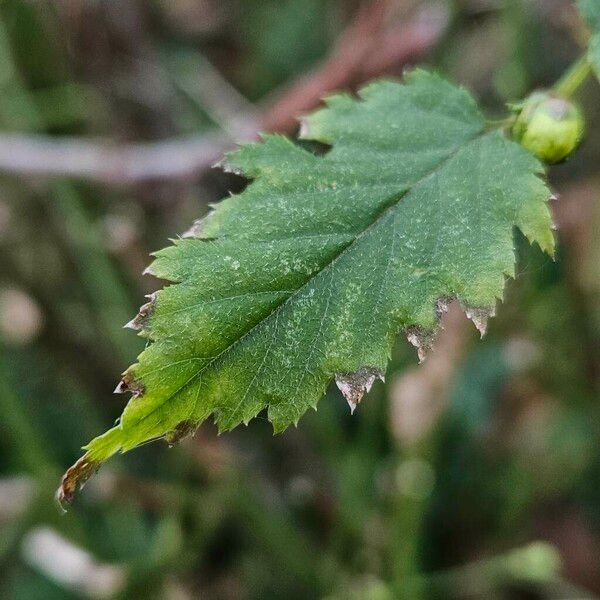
[{"x": 311, "y": 272}]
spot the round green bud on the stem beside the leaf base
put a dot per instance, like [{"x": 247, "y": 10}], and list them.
[{"x": 548, "y": 126}]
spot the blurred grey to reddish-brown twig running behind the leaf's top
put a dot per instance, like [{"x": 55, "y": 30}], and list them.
[{"x": 368, "y": 47}]
